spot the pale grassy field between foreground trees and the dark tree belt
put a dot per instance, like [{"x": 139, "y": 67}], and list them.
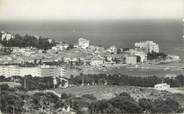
[{"x": 107, "y": 92}]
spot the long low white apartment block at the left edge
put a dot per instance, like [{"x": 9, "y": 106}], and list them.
[{"x": 40, "y": 71}]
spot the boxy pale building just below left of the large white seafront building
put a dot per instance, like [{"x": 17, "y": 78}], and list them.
[{"x": 131, "y": 59}]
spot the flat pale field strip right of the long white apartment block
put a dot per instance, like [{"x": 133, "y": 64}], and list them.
[{"x": 131, "y": 71}]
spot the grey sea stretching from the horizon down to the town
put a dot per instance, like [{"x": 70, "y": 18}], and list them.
[{"x": 122, "y": 33}]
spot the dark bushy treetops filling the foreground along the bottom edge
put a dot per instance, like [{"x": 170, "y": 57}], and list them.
[{"x": 17, "y": 102}]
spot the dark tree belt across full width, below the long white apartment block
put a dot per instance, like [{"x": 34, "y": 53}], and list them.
[{"x": 41, "y": 83}]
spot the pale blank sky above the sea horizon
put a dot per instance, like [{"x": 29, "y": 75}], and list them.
[{"x": 90, "y": 9}]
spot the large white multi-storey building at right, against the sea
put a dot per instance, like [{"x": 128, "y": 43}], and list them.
[{"x": 149, "y": 46}]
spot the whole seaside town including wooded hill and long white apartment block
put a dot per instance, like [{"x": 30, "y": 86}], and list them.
[{"x": 29, "y": 59}]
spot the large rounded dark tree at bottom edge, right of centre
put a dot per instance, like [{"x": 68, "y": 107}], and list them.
[{"x": 120, "y": 104}]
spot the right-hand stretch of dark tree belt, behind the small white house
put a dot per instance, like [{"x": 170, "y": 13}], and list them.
[{"x": 126, "y": 80}]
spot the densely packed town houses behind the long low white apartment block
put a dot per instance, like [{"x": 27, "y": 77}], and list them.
[{"x": 86, "y": 53}]
